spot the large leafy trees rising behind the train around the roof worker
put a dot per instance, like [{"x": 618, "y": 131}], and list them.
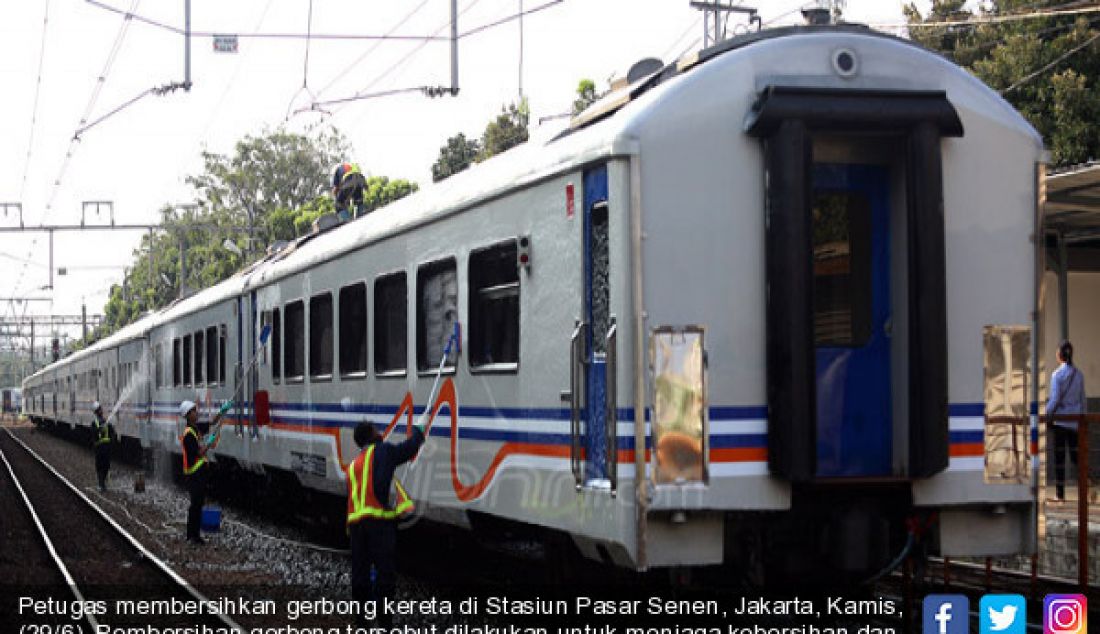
[{"x": 273, "y": 188}]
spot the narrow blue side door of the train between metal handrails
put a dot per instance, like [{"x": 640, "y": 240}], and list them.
[{"x": 598, "y": 318}]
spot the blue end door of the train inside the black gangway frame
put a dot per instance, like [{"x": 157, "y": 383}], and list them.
[{"x": 852, "y": 320}]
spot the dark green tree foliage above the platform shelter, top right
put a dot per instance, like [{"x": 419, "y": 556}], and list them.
[{"x": 1047, "y": 68}]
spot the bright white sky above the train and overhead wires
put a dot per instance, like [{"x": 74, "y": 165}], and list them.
[{"x": 63, "y": 61}]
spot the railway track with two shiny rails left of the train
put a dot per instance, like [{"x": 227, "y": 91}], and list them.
[{"x": 95, "y": 567}]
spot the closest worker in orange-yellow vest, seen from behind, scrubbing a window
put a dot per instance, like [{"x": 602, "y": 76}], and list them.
[{"x": 373, "y": 512}]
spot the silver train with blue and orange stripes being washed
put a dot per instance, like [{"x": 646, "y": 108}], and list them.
[{"x": 772, "y": 279}]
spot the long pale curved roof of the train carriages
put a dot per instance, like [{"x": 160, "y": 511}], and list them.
[{"x": 608, "y": 129}]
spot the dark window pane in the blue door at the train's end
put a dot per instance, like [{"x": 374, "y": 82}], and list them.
[{"x": 842, "y": 243}]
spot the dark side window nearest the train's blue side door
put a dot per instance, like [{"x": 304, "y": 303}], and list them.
[{"x": 494, "y": 308}]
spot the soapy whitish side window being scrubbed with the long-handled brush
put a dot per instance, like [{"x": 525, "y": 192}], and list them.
[{"x": 437, "y": 294}]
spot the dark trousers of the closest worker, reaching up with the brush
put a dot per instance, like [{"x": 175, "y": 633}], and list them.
[{"x": 375, "y": 544}]
